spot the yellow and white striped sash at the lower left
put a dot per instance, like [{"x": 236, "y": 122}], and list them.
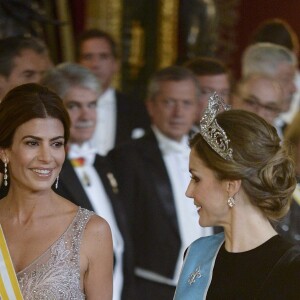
[{"x": 9, "y": 286}]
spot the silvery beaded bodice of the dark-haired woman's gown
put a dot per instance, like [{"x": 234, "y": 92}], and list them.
[{"x": 55, "y": 275}]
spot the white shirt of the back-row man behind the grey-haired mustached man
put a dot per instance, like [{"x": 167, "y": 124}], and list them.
[{"x": 105, "y": 132}]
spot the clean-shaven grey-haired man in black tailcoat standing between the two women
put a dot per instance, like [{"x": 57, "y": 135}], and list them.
[{"x": 153, "y": 175}]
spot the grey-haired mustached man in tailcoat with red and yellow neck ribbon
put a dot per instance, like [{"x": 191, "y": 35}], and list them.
[{"x": 86, "y": 178}]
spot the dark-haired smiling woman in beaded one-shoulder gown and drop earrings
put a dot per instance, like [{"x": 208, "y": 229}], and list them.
[{"x": 58, "y": 250}]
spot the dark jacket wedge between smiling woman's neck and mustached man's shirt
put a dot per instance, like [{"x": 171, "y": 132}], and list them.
[{"x": 69, "y": 184}]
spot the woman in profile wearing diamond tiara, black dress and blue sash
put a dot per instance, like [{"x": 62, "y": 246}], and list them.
[{"x": 242, "y": 178}]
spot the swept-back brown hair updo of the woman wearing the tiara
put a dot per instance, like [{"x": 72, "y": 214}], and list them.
[{"x": 264, "y": 164}]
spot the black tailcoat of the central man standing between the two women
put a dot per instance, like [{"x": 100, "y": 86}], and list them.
[{"x": 149, "y": 203}]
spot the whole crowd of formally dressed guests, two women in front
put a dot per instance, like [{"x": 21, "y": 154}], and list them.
[{"x": 67, "y": 133}]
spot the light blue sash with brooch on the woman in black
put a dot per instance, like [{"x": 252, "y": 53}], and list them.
[{"x": 196, "y": 273}]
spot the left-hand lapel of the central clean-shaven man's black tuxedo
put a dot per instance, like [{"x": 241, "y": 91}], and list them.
[{"x": 157, "y": 171}]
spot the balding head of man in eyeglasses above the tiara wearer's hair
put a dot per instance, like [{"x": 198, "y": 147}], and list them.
[{"x": 260, "y": 94}]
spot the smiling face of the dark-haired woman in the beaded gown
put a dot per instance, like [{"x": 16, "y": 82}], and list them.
[{"x": 37, "y": 154}]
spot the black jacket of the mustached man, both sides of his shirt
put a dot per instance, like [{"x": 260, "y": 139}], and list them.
[{"x": 69, "y": 186}]
